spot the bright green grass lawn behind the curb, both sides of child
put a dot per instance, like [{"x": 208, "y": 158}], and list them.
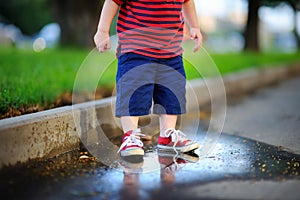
[{"x": 30, "y": 79}]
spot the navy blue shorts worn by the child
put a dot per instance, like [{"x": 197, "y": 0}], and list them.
[{"x": 144, "y": 81}]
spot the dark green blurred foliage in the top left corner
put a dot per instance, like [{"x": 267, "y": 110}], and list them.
[{"x": 29, "y": 15}]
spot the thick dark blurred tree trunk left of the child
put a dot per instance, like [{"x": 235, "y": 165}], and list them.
[{"x": 78, "y": 20}]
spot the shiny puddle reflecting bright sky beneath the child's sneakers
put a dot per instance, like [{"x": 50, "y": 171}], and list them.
[{"x": 233, "y": 158}]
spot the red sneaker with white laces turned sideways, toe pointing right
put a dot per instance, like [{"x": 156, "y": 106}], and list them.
[{"x": 176, "y": 141}]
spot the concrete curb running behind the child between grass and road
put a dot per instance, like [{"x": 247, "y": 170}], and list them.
[{"x": 53, "y": 132}]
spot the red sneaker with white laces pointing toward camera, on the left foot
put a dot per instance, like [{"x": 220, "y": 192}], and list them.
[{"x": 132, "y": 144}]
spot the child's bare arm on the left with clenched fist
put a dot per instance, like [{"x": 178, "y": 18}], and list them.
[{"x": 101, "y": 37}]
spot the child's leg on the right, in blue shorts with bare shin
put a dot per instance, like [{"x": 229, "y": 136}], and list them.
[{"x": 169, "y": 92}]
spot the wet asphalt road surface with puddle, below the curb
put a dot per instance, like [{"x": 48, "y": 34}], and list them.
[{"x": 244, "y": 163}]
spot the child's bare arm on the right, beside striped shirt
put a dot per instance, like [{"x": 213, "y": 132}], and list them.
[{"x": 190, "y": 15}]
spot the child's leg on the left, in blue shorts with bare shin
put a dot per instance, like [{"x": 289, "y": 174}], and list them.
[{"x": 135, "y": 84}]
